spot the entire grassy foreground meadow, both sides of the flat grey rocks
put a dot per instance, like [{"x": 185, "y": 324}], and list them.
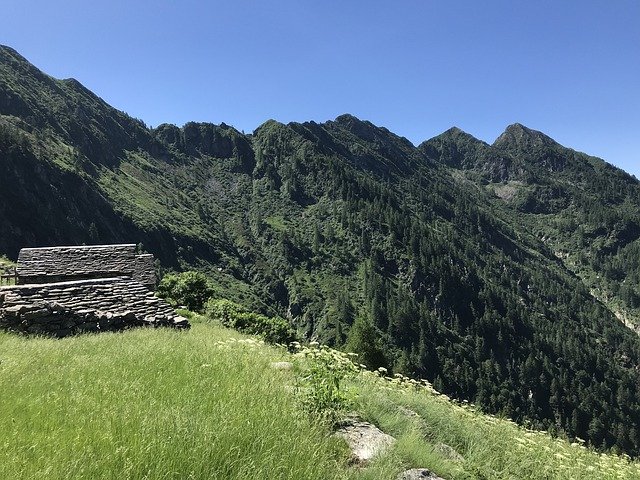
[{"x": 206, "y": 404}]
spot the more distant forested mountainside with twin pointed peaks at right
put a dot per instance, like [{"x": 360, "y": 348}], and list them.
[{"x": 582, "y": 208}]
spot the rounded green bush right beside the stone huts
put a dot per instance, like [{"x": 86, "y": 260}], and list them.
[{"x": 191, "y": 289}]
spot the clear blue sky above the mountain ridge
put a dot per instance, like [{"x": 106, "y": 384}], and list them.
[{"x": 570, "y": 68}]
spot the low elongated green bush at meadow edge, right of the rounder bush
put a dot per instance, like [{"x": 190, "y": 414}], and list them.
[{"x": 232, "y": 315}]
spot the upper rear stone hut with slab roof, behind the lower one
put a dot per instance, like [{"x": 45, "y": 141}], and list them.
[{"x": 59, "y": 264}]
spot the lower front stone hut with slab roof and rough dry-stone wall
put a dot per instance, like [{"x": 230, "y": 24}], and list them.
[{"x": 66, "y": 308}]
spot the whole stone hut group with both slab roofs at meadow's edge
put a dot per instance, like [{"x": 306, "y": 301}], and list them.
[{"x": 61, "y": 291}]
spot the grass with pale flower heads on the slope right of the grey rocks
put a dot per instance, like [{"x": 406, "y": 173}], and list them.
[{"x": 427, "y": 424}]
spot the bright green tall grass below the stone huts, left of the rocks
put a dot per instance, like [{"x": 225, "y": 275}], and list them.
[{"x": 155, "y": 404}]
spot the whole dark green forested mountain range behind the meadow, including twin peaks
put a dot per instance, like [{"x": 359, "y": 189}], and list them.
[{"x": 464, "y": 263}]
